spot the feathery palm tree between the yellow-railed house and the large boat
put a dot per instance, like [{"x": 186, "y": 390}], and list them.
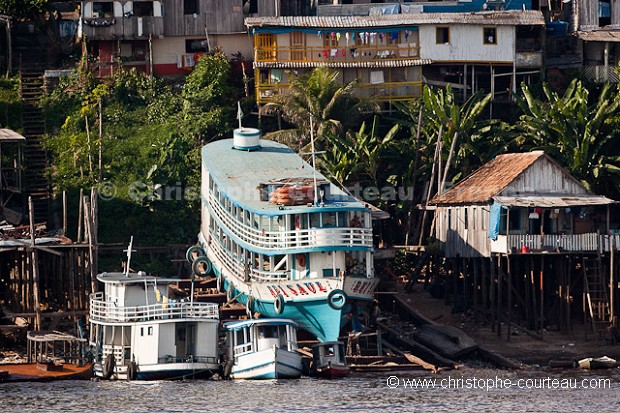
[{"x": 320, "y": 94}]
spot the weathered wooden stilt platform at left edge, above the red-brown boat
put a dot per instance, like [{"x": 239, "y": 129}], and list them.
[{"x": 45, "y": 275}]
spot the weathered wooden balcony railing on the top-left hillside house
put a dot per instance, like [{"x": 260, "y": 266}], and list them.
[{"x": 111, "y": 28}]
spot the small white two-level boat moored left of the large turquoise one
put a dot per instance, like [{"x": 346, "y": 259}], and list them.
[{"x": 137, "y": 332}]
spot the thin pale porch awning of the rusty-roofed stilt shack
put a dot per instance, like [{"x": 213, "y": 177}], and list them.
[{"x": 553, "y": 201}]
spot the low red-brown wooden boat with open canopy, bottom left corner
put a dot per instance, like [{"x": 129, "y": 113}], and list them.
[{"x": 51, "y": 356}]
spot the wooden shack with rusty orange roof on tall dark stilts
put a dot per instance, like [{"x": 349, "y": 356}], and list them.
[{"x": 527, "y": 244}]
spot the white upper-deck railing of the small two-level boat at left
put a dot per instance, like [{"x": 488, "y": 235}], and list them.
[{"x": 109, "y": 311}]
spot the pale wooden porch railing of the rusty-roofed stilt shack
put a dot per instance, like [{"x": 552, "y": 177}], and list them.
[{"x": 590, "y": 242}]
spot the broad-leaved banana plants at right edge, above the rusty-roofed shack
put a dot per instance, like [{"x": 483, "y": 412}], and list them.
[{"x": 578, "y": 134}]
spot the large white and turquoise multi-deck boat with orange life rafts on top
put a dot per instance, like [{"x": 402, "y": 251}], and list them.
[{"x": 280, "y": 238}]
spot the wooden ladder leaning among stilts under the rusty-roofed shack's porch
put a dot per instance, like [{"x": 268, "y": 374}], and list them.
[{"x": 596, "y": 292}]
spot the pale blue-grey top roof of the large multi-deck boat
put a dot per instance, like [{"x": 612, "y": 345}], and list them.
[{"x": 238, "y": 174}]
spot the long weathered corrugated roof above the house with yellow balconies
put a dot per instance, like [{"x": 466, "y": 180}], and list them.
[{"x": 498, "y": 18}]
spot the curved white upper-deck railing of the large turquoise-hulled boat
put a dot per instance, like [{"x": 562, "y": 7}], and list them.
[{"x": 292, "y": 239}]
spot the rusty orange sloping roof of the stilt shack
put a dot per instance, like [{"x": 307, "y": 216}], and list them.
[{"x": 489, "y": 180}]
